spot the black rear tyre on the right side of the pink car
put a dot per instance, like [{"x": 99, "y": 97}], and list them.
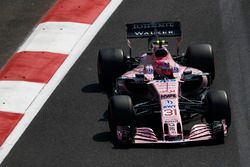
[{"x": 201, "y": 56}]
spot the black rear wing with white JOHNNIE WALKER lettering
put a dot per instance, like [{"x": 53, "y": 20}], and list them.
[{"x": 154, "y": 29}]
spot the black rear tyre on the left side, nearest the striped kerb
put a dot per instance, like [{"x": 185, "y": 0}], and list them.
[{"x": 110, "y": 65}]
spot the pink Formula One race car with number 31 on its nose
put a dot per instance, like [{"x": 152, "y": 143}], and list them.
[{"x": 158, "y": 96}]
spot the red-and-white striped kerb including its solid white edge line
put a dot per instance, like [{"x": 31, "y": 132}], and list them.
[{"x": 35, "y": 70}]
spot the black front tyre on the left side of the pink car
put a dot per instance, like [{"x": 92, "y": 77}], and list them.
[{"x": 120, "y": 113}]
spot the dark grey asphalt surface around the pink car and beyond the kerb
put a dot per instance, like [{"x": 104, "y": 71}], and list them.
[{"x": 71, "y": 129}]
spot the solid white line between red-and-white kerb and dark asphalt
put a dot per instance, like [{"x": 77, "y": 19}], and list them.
[{"x": 59, "y": 75}]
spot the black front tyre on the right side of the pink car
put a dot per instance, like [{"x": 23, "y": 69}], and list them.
[{"x": 218, "y": 107}]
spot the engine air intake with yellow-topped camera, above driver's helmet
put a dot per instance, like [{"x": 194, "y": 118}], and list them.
[{"x": 159, "y": 48}]
